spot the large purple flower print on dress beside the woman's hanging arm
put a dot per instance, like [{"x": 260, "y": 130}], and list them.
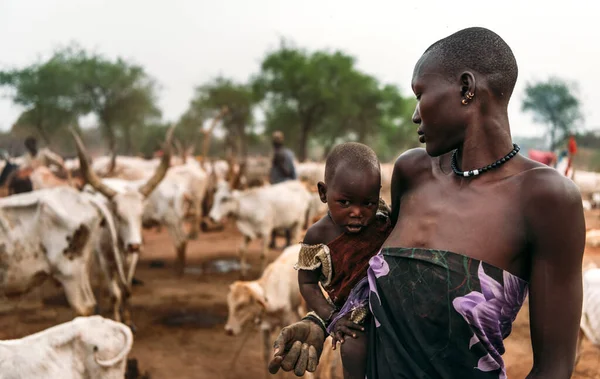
[{"x": 490, "y": 314}]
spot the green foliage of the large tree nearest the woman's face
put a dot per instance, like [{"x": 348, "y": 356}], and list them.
[{"x": 323, "y": 96}]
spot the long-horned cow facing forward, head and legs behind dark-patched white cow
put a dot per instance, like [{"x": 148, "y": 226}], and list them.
[{"x": 126, "y": 201}]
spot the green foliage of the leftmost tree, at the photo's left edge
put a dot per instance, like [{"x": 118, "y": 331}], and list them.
[{"x": 72, "y": 83}]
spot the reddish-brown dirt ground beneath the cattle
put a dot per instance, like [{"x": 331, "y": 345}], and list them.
[{"x": 180, "y": 320}]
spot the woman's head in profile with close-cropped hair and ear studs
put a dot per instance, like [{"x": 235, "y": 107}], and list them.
[{"x": 459, "y": 81}]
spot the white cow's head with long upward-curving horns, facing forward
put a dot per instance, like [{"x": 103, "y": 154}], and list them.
[{"x": 127, "y": 205}]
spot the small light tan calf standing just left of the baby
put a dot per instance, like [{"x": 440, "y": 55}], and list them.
[{"x": 272, "y": 300}]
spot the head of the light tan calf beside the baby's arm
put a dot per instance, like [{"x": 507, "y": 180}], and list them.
[{"x": 246, "y": 303}]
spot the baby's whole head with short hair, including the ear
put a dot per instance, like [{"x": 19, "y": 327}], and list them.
[{"x": 352, "y": 185}]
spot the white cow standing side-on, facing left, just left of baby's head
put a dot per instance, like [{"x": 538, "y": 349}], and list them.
[{"x": 261, "y": 210}]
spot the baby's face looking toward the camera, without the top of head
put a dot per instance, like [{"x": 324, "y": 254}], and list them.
[{"x": 353, "y": 198}]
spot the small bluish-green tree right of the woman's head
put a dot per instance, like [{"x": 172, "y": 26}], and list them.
[{"x": 554, "y": 104}]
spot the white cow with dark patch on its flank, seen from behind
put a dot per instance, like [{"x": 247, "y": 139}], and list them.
[{"x": 51, "y": 232}]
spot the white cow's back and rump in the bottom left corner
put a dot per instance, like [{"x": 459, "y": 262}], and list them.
[{"x": 86, "y": 347}]
